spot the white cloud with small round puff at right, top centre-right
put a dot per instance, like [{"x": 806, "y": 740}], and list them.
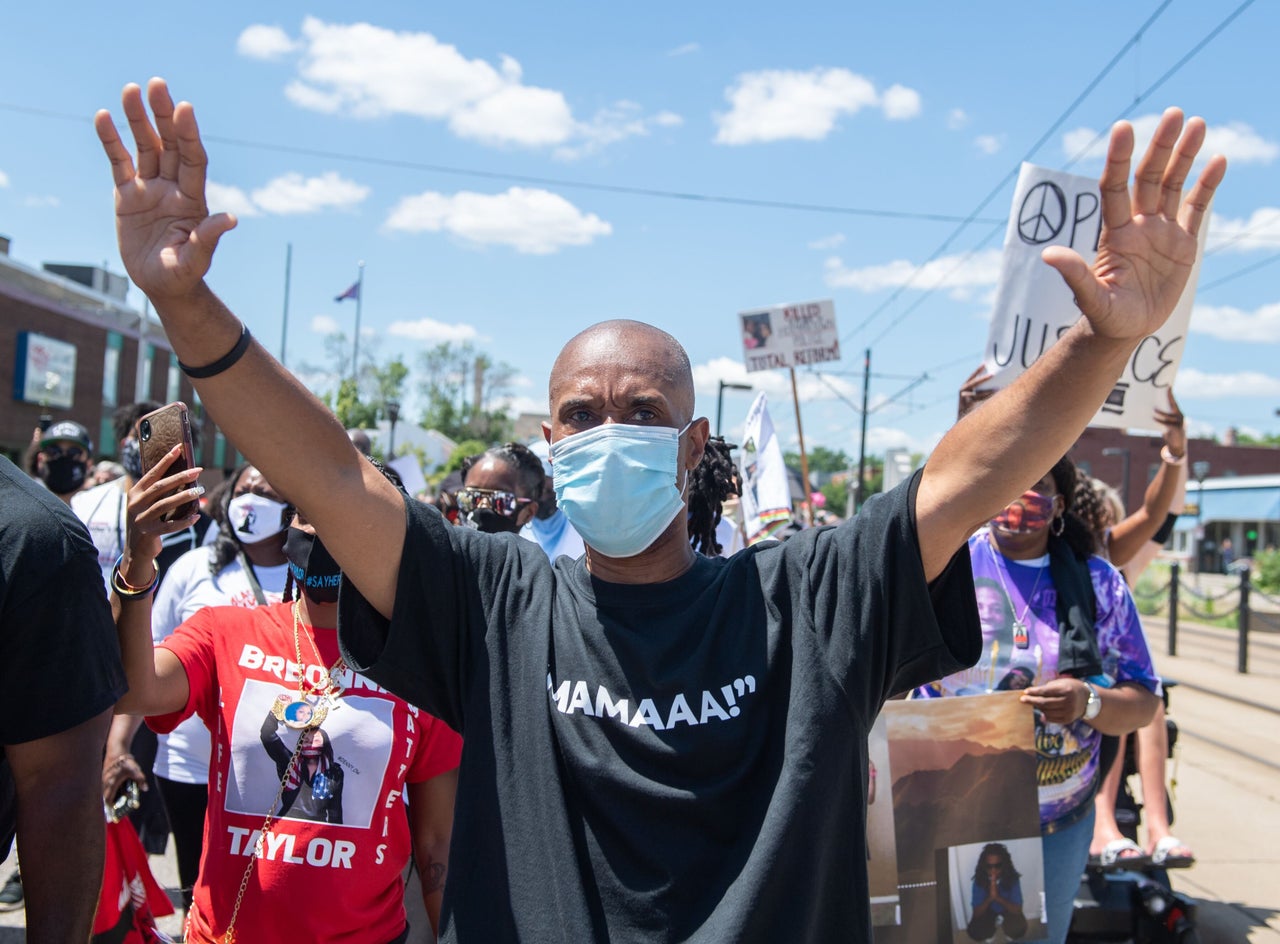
[{"x": 776, "y": 104}]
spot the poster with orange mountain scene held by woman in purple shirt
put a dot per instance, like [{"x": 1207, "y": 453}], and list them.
[{"x": 963, "y": 777}]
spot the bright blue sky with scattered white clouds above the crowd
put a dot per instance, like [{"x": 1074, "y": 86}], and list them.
[{"x": 476, "y": 161}]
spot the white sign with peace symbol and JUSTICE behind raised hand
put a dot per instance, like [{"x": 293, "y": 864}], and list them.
[{"x": 1035, "y": 308}]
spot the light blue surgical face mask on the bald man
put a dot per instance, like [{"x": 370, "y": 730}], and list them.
[{"x": 616, "y": 484}]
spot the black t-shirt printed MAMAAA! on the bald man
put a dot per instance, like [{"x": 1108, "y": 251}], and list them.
[{"x": 664, "y": 763}]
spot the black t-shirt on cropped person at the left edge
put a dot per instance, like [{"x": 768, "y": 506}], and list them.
[{"x": 60, "y": 656}]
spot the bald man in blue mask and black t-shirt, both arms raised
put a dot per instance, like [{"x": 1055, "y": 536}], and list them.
[{"x": 660, "y": 746}]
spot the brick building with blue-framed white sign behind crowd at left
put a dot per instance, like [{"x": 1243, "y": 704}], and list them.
[{"x": 72, "y": 349}]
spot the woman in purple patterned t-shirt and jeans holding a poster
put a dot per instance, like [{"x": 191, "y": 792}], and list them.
[{"x": 1078, "y": 640}]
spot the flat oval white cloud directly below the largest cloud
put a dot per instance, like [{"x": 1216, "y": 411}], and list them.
[{"x": 529, "y": 221}]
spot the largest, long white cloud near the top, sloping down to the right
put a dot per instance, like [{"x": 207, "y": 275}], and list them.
[{"x": 365, "y": 71}]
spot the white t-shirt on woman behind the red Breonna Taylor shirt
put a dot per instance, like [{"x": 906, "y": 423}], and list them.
[{"x": 189, "y": 586}]
